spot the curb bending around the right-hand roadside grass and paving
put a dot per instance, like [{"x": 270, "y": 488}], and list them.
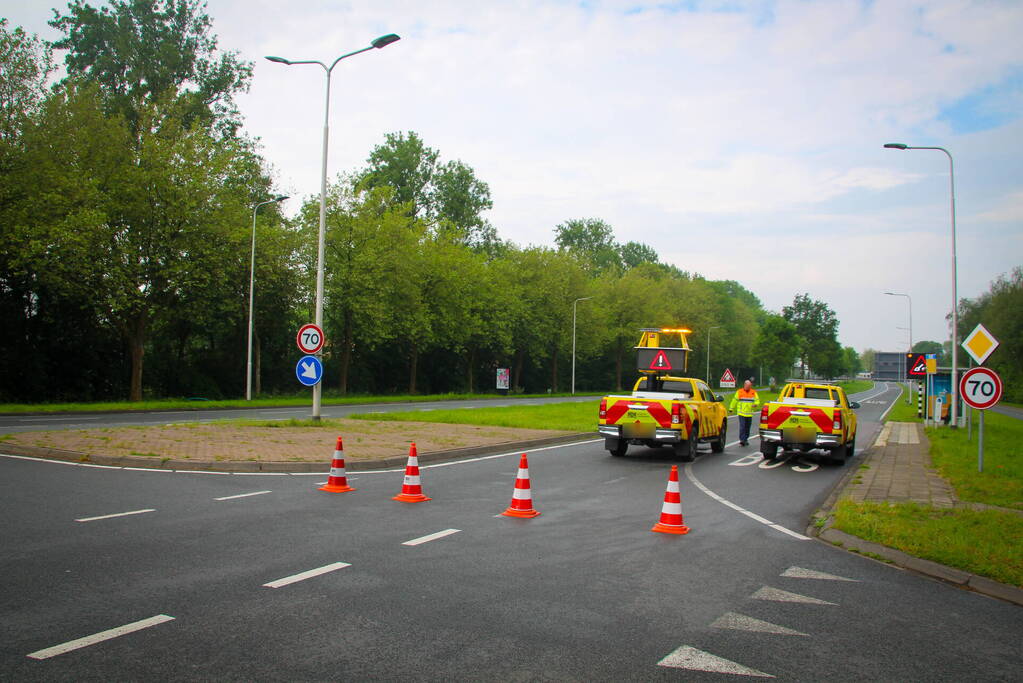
[{"x": 851, "y": 543}]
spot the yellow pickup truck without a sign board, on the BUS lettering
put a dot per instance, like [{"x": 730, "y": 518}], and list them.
[{"x": 808, "y": 417}]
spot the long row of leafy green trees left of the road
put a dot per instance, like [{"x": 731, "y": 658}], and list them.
[{"x": 126, "y": 206}]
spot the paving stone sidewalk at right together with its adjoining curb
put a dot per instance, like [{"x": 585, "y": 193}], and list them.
[{"x": 899, "y": 470}]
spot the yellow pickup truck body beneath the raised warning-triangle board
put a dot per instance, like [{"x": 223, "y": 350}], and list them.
[{"x": 664, "y": 411}]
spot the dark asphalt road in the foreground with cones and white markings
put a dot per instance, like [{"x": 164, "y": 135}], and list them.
[{"x": 214, "y": 578}]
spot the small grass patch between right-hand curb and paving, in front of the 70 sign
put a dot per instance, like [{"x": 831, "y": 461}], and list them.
[{"x": 983, "y": 542}]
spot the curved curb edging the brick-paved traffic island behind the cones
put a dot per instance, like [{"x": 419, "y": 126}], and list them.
[{"x": 168, "y": 465}]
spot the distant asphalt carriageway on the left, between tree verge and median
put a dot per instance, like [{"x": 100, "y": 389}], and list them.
[{"x": 35, "y": 423}]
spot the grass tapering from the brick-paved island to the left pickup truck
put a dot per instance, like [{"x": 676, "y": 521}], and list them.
[{"x": 576, "y": 417}]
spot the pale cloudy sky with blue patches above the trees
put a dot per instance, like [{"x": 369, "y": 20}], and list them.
[{"x": 741, "y": 140}]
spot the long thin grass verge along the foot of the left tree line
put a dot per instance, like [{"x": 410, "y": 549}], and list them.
[{"x": 186, "y": 404}]
